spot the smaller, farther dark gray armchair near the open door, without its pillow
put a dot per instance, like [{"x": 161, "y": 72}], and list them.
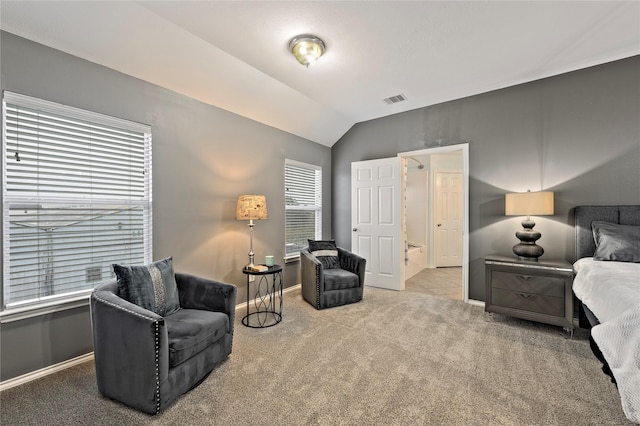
[{"x": 326, "y": 288}]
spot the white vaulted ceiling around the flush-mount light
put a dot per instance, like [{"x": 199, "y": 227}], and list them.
[{"x": 234, "y": 55}]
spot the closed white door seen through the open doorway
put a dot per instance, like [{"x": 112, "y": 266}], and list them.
[{"x": 449, "y": 221}]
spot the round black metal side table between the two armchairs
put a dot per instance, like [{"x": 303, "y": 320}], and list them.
[{"x": 267, "y": 301}]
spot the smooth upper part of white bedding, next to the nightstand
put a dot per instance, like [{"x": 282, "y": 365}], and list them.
[{"x": 607, "y": 288}]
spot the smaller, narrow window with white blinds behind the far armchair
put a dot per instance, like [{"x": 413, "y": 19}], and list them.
[{"x": 303, "y": 205}]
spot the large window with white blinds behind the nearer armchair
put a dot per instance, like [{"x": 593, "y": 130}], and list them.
[{"x": 76, "y": 199}]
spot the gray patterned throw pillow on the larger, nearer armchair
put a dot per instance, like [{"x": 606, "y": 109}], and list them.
[{"x": 152, "y": 287}]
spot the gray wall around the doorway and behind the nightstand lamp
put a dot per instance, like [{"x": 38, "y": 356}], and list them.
[{"x": 577, "y": 134}]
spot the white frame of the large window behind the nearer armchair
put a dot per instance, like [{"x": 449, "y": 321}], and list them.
[{"x": 73, "y": 297}]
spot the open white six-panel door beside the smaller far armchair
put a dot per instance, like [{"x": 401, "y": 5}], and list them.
[{"x": 376, "y": 220}]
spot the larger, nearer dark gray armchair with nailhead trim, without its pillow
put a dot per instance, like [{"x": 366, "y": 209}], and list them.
[{"x": 147, "y": 361}]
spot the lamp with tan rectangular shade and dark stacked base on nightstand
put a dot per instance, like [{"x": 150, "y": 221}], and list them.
[{"x": 528, "y": 204}]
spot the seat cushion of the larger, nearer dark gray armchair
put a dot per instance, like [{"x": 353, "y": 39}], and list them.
[{"x": 192, "y": 330}]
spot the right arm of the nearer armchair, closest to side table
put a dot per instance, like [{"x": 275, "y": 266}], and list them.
[{"x": 209, "y": 295}]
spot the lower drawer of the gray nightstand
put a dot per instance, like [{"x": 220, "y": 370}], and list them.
[{"x": 531, "y": 302}]
